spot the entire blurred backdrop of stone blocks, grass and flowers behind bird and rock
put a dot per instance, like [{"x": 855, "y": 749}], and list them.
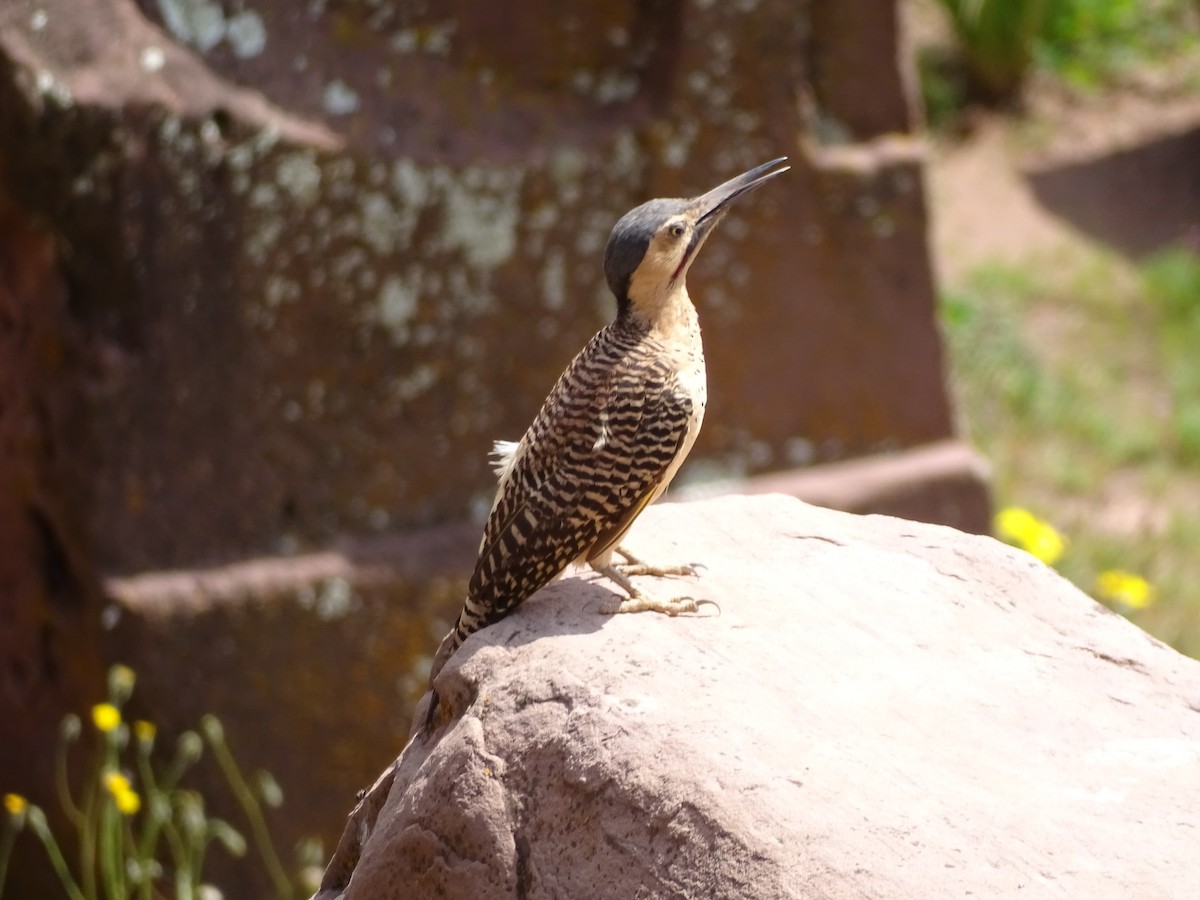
[{"x": 275, "y": 275}]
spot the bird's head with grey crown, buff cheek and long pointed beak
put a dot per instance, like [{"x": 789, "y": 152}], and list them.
[{"x": 653, "y": 245}]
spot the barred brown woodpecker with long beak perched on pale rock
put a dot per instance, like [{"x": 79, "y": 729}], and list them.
[{"x": 615, "y": 429}]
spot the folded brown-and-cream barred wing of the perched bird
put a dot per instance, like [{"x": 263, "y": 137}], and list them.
[{"x": 591, "y": 463}]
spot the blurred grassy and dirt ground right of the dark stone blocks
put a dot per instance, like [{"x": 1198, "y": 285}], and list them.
[{"x": 1066, "y": 209}]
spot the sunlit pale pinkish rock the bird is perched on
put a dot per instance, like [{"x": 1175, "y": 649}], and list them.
[{"x": 880, "y": 709}]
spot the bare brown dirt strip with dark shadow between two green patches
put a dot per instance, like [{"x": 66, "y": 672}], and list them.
[{"x": 994, "y": 197}]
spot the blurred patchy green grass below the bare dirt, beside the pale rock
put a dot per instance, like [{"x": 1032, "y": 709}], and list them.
[{"x": 1078, "y": 377}]
